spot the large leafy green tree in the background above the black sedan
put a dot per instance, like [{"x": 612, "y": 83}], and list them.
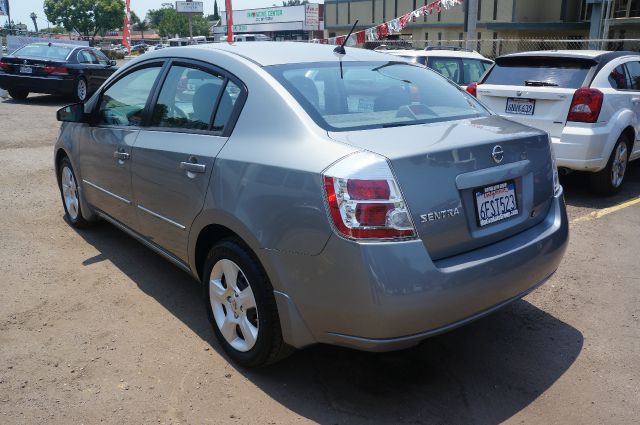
[{"x": 86, "y": 17}]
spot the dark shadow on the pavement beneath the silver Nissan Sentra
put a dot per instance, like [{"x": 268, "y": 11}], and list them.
[{"x": 485, "y": 372}]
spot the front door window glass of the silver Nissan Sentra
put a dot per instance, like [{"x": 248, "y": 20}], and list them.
[{"x": 123, "y": 103}]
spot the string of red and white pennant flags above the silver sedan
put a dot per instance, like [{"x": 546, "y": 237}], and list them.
[{"x": 394, "y": 26}]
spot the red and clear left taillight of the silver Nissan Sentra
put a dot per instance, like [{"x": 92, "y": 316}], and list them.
[{"x": 364, "y": 200}]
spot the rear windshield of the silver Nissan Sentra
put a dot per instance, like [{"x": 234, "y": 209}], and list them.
[{"x": 374, "y": 94}]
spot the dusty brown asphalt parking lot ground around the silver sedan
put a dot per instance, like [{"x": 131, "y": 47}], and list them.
[{"x": 95, "y": 328}]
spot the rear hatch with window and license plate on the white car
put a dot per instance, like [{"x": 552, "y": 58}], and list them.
[{"x": 535, "y": 90}]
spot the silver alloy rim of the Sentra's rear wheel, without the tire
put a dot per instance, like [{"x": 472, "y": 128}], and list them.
[{"x": 234, "y": 305}]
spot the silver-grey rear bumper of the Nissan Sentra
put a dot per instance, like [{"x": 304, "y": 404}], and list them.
[{"x": 387, "y": 296}]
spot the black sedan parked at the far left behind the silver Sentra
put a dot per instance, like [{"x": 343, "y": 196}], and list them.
[{"x": 54, "y": 68}]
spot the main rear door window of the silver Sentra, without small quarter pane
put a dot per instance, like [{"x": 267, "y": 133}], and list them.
[{"x": 187, "y": 99}]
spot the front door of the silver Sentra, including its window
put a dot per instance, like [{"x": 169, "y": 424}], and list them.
[{"x": 105, "y": 149}]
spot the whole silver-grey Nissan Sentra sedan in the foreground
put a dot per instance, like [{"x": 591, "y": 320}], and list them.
[{"x": 348, "y": 199}]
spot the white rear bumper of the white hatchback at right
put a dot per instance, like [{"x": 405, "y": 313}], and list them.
[{"x": 584, "y": 148}]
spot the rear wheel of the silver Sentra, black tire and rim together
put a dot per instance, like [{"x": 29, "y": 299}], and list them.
[{"x": 241, "y": 307}]
